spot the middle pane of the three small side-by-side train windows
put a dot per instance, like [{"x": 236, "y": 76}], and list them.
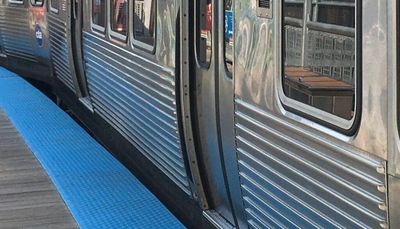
[{"x": 119, "y": 16}]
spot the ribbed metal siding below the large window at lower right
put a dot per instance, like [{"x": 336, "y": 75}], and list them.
[{"x": 291, "y": 179}]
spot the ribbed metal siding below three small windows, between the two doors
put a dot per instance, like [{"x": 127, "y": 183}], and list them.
[{"x": 140, "y": 103}]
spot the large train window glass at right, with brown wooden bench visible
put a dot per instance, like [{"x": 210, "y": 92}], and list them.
[{"x": 319, "y": 54}]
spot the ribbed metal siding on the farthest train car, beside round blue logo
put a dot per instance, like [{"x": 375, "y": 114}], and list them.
[{"x": 15, "y": 32}]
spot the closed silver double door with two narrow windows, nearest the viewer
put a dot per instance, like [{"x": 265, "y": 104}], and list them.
[{"x": 212, "y": 90}]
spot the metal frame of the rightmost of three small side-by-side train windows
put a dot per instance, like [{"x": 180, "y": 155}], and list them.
[{"x": 137, "y": 43}]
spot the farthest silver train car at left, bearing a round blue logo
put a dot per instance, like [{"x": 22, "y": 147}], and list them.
[{"x": 24, "y": 41}]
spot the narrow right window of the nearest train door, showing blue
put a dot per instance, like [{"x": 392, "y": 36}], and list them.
[{"x": 228, "y": 37}]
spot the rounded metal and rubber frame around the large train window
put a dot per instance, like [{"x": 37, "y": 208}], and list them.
[{"x": 313, "y": 114}]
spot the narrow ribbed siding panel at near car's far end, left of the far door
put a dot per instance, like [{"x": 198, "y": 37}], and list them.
[{"x": 59, "y": 50}]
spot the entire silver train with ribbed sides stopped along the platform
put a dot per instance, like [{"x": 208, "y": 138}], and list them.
[{"x": 235, "y": 113}]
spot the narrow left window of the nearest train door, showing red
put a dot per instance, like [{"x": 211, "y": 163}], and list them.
[{"x": 204, "y": 34}]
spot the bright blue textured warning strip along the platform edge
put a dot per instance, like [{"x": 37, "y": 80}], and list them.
[{"x": 98, "y": 190}]
